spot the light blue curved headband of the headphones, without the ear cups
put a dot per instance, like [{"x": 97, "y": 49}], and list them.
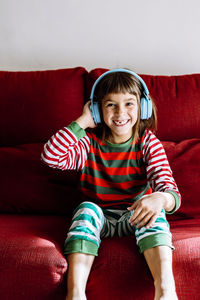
[{"x": 146, "y": 91}]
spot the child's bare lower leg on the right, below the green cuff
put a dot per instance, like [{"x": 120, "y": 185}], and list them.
[{"x": 159, "y": 260}]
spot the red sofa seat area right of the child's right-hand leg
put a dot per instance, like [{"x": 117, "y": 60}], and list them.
[{"x": 186, "y": 259}]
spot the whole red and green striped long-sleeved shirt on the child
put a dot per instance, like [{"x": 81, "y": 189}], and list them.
[{"x": 112, "y": 175}]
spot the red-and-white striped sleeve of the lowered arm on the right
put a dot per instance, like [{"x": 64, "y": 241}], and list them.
[{"x": 159, "y": 173}]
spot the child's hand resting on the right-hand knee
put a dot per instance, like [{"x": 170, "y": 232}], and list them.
[{"x": 147, "y": 209}]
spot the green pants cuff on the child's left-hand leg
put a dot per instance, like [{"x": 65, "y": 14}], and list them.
[{"x": 81, "y": 246}]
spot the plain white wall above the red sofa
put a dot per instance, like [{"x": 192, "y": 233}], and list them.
[{"x": 149, "y": 36}]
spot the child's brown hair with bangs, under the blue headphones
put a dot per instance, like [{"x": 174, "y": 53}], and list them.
[{"x": 122, "y": 82}]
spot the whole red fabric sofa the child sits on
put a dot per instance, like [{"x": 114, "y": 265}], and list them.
[{"x": 36, "y": 201}]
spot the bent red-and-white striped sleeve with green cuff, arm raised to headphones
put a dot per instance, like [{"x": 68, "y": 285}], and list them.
[{"x": 67, "y": 149}]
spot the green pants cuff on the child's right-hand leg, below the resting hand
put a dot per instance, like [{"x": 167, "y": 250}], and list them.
[{"x": 158, "y": 239}]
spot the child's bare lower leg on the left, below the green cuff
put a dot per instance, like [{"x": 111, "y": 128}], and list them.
[{"x": 79, "y": 269}]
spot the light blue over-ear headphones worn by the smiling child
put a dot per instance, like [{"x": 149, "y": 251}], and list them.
[{"x": 145, "y": 101}]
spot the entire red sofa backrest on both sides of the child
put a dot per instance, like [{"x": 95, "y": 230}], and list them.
[{"x": 34, "y": 105}]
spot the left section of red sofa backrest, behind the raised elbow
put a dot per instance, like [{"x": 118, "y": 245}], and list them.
[{"x": 33, "y": 106}]
